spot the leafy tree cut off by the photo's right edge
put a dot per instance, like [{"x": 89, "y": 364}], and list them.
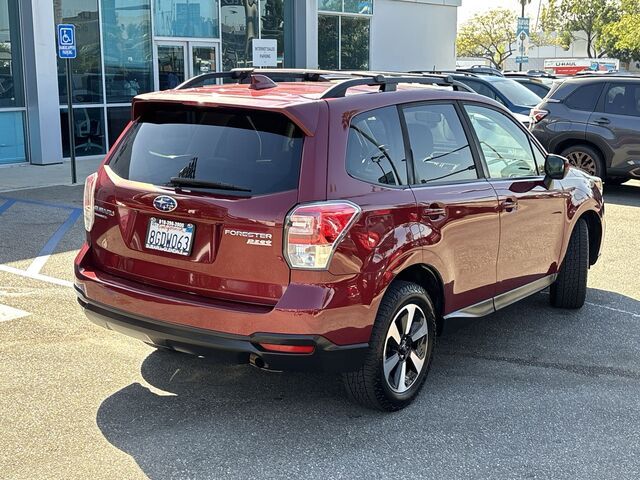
[{"x": 621, "y": 39}]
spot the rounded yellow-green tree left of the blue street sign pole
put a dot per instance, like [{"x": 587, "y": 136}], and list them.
[{"x": 489, "y": 35}]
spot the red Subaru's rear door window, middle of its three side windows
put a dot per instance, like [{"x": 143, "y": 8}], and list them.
[{"x": 439, "y": 146}]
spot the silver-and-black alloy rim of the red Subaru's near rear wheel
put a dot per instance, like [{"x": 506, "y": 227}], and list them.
[{"x": 405, "y": 348}]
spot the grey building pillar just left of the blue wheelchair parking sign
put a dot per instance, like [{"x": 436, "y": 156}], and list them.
[{"x": 41, "y": 82}]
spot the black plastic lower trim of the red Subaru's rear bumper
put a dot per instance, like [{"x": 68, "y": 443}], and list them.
[{"x": 326, "y": 356}]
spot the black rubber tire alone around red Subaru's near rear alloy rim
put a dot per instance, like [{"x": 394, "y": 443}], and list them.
[{"x": 369, "y": 386}]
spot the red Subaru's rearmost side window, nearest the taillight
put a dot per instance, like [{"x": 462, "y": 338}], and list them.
[{"x": 375, "y": 148}]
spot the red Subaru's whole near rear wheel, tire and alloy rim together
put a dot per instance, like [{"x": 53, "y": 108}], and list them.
[{"x": 401, "y": 349}]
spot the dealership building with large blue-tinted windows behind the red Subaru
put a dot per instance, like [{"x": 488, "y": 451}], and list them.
[{"x": 128, "y": 47}]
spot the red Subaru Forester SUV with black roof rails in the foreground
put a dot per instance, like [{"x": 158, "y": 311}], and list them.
[{"x": 328, "y": 224}]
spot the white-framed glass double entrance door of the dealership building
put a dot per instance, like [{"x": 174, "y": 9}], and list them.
[{"x": 179, "y": 61}]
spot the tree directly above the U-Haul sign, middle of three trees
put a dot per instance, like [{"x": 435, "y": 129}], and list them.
[{"x": 570, "y": 19}]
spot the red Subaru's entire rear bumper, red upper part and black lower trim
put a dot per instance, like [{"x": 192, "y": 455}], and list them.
[{"x": 339, "y": 328}]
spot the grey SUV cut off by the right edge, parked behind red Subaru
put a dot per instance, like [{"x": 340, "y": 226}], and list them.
[{"x": 594, "y": 121}]
